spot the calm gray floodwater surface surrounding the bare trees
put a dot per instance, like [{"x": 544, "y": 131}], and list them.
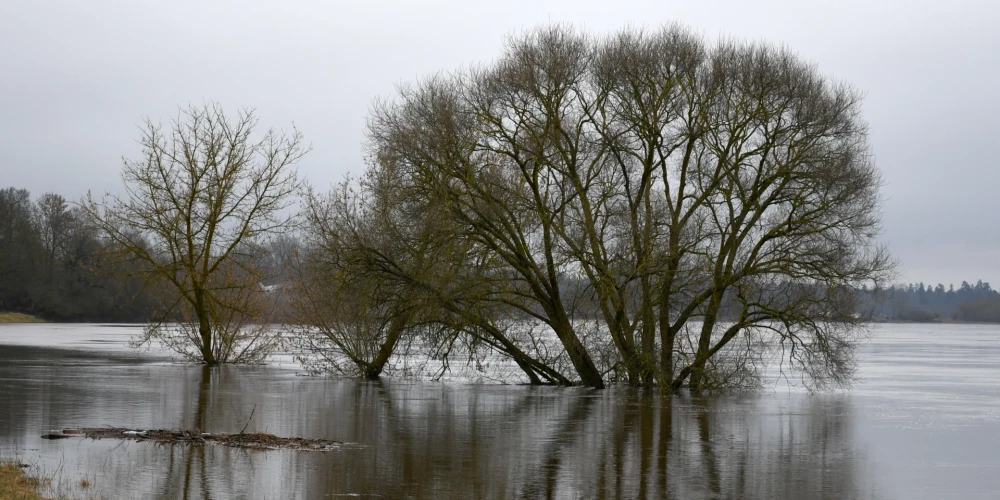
[{"x": 923, "y": 421}]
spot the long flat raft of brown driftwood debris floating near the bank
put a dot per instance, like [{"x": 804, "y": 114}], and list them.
[{"x": 254, "y": 441}]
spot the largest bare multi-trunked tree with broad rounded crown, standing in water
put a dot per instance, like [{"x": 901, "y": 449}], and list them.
[{"x": 705, "y": 205}]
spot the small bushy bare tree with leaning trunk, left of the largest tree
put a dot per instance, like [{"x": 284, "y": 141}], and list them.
[{"x": 352, "y": 320}]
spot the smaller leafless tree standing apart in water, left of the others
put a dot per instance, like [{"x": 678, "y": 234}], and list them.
[{"x": 198, "y": 205}]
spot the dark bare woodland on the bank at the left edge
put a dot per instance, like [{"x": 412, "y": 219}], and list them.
[{"x": 50, "y": 264}]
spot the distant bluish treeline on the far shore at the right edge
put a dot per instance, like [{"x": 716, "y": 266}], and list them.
[{"x": 926, "y": 303}]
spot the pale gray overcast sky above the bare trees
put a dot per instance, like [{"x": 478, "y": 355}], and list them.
[{"x": 76, "y": 77}]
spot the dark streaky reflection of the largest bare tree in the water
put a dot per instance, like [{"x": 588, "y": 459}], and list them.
[{"x": 428, "y": 442}]
